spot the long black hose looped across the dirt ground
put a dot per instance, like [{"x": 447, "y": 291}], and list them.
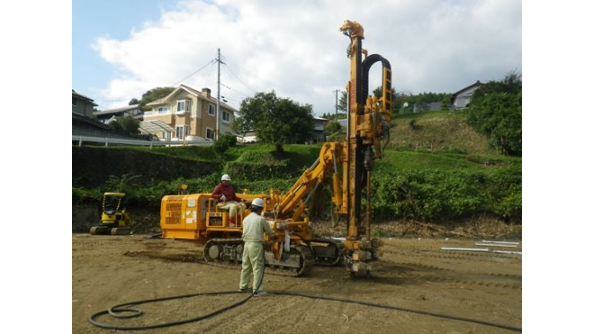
[{"x": 117, "y": 310}]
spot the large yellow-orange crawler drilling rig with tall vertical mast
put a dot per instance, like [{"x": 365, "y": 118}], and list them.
[{"x": 345, "y": 165}]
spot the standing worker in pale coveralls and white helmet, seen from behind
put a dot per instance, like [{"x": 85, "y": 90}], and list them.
[{"x": 253, "y": 257}]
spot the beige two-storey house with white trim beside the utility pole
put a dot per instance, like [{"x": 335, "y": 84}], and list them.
[{"x": 191, "y": 114}]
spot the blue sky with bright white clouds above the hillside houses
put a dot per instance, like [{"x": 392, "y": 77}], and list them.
[{"x": 121, "y": 49}]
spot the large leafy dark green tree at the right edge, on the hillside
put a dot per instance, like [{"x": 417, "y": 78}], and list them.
[{"x": 496, "y": 111}]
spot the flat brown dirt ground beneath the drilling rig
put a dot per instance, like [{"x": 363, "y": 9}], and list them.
[{"x": 413, "y": 273}]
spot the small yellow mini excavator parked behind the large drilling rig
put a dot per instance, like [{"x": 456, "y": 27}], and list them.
[{"x": 114, "y": 218}]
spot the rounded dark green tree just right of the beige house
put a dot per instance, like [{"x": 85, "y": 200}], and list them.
[{"x": 275, "y": 120}]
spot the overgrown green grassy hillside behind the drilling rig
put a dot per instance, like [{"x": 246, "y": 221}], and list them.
[{"x": 435, "y": 169}]
